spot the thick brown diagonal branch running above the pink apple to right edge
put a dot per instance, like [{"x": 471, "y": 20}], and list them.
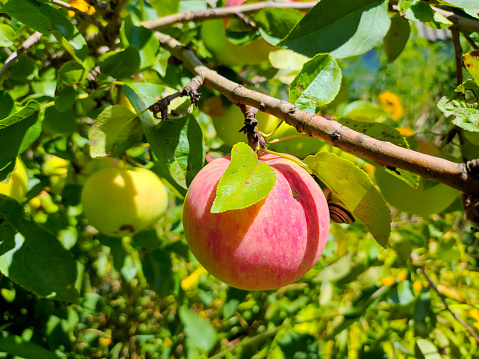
[{"x": 455, "y": 175}]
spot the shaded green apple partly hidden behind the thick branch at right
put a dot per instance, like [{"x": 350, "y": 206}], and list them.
[{"x": 428, "y": 198}]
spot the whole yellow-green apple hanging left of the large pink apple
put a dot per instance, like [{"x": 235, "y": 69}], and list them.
[{"x": 120, "y": 202}]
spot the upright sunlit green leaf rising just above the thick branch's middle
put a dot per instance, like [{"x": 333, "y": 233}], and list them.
[{"x": 317, "y": 84}]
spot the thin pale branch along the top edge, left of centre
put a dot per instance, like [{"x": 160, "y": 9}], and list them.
[{"x": 221, "y": 13}]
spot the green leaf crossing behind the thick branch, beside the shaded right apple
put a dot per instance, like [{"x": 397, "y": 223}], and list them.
[{"x": 383, "y": 132}]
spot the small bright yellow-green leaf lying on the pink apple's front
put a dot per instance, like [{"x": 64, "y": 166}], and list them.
[{"x": 245, "y": 182}]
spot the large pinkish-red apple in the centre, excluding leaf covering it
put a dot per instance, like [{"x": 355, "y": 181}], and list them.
[{"x": 267, "y": 245}]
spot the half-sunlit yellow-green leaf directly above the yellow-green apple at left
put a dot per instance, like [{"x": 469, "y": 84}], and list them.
[{"x": 115, "y": 130}]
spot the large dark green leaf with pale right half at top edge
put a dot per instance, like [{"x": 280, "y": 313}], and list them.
[{"x": 343, "y": 28}]
